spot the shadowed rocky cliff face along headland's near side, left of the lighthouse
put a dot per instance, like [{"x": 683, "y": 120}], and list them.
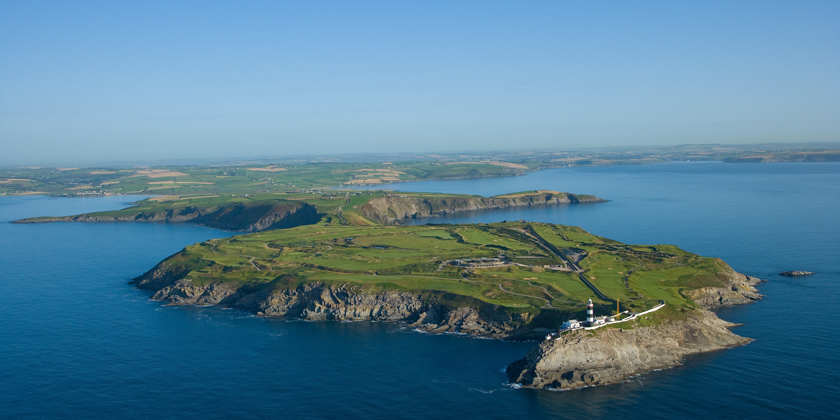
[{"x": 318, "y": 301}]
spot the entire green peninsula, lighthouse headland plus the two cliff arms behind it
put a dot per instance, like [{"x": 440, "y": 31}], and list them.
[{"x": 327, "y": 254}]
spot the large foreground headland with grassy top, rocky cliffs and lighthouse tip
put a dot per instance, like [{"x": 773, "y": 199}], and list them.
[{"x": 421, "y": 276}]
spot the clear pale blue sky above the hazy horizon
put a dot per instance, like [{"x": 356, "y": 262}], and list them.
[{"x": 94, "y": 81}]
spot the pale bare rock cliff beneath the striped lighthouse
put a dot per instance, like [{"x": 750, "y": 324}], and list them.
[{"x": 609, "y": 355}]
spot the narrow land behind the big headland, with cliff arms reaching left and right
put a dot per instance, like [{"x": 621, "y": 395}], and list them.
[{"x": 257, "y": 212}]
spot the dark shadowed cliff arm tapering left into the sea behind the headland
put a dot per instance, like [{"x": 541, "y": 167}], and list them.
[{"x": 247, "y": 217}]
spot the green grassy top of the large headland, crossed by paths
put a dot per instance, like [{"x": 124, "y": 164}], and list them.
[{"x": 421, "y": 259}]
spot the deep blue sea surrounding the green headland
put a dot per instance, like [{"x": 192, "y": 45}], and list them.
[{"x": 77, "y": 341}]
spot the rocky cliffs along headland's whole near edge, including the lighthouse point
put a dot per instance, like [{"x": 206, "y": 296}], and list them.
[{"x": 579, "y": 359}]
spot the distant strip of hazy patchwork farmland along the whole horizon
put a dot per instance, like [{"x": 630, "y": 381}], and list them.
[{"x": 297, "y": 174}]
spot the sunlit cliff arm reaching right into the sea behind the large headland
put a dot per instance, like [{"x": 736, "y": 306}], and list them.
[{"x": 393, "y": 209}]
